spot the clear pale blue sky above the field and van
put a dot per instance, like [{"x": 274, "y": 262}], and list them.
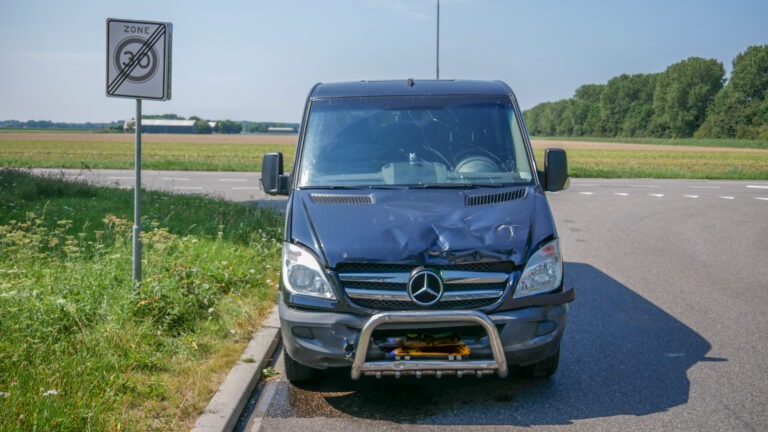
[{"x": 257, "y": 60}]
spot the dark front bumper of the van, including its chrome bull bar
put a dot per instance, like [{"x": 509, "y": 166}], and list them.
[{"x": 323, "y": 339}]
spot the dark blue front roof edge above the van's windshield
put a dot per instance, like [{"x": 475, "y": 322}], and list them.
[{"x": 409, "y": 87}]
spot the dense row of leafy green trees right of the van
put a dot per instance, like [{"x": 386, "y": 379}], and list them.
[{"x": 691, "y": 98}]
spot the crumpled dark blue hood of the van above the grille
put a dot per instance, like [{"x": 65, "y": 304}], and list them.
[{"x": 416, "y": 226}]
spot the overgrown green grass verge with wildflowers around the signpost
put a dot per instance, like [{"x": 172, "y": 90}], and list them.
[{"x": 83, "y": 347}]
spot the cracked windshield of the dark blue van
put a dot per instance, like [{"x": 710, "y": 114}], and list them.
[{"x": 413, "y": 141}]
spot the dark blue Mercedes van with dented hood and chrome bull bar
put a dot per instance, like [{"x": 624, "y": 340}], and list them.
[{"x": 418, "y": 237}]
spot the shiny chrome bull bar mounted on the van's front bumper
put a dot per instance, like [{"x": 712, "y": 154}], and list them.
[{"x": 429, "y": 367}]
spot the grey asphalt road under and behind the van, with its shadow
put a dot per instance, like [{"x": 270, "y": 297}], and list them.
[{"x": 668, "y": 330}]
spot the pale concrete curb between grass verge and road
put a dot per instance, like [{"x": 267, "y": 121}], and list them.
[{"x": 224, "y": 409}]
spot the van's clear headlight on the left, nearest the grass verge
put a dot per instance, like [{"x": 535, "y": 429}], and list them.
[{"x": 303, "y": 275}]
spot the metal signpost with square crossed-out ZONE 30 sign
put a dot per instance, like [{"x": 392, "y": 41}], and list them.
[{"x": 138, "y": 67}]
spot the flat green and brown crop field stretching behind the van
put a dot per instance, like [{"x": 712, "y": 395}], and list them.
[{"x": 690, "y": 158}]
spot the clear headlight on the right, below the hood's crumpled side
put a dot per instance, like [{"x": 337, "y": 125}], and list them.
[{"x": 543, "y": 273}]
